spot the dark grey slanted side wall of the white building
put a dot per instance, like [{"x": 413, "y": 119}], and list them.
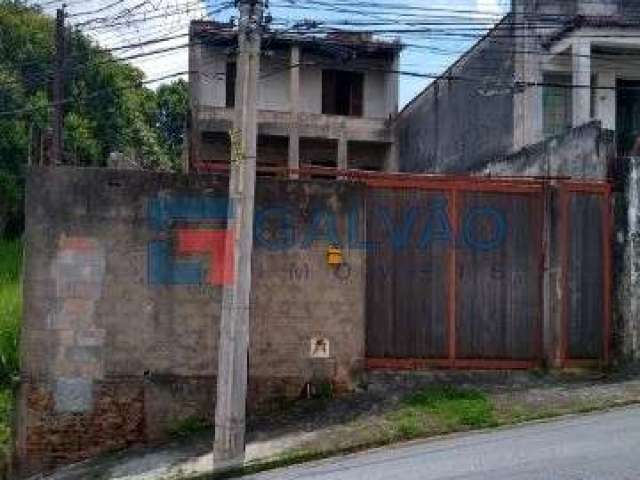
[{"x": 464, "y": 117}]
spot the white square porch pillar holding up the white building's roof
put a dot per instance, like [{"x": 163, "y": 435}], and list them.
[{"x": 581, "y": 82}]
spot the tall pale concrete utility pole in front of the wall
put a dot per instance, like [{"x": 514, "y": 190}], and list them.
[{"x": 230, "y": 421}]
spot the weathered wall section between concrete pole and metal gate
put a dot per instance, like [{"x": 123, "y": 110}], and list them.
[{"x": 297, "y": 296}]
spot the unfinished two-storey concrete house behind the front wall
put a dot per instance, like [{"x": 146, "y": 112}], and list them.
[{"x": 323, "y": 101}]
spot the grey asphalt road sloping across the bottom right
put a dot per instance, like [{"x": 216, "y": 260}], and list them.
[{"x": 599, "y": 447}]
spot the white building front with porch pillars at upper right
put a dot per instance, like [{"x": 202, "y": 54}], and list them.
[{"x": 586, "y": 54}]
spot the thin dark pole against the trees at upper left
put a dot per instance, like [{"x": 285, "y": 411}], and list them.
[{"x": 57, "y": 144}]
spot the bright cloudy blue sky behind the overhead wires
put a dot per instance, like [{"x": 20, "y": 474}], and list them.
[{"x": 115, "y": 24}]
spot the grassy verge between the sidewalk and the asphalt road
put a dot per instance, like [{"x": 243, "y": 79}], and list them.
[{"x": 427, "y": 413}]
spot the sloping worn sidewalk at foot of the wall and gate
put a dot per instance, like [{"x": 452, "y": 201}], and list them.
[{"x": 352, "y": 420}]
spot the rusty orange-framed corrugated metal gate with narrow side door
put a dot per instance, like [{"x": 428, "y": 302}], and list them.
[{"x": 455, "y": 272}]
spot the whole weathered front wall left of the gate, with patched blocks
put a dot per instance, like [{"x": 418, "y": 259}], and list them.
[{"x": 119, "y": 340}]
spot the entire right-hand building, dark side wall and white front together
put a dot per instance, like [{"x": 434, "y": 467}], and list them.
[{"x": 547, "y": 68}]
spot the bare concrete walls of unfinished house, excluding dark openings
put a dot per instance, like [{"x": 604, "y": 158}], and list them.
[{"x": 290, "y": 100}]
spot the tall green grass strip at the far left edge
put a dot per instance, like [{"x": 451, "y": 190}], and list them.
[{"x": 10, "y": 320}]
